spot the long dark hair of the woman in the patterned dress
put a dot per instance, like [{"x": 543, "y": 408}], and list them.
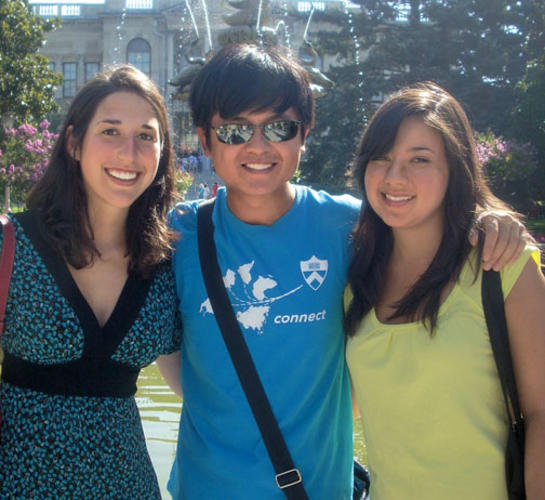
[{"x": 60, "y": 198}]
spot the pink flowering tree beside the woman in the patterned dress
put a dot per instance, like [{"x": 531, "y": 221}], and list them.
[{"x": 24, "y": 158}]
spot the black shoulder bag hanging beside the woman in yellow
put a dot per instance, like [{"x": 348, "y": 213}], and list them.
[{"x": 493, "y": 305}]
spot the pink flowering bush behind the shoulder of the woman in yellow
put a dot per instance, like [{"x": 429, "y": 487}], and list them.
[{"x": 509, "y": 166}]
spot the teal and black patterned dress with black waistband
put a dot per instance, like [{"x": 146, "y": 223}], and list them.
[{"x": 71, "y": 428}]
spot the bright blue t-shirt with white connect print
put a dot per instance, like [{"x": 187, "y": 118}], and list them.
[{"x": 286, "y": 283}]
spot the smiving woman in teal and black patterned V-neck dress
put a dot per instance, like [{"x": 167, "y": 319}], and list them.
[{"x": 92, "y": 300}]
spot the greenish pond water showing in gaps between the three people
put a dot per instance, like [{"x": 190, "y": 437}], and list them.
[{"x": 160, "y": 411}]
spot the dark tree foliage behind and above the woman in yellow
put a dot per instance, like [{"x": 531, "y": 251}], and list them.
[{"x": 477, "y": 49}]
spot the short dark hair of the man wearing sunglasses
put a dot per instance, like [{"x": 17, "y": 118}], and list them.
[{"x": 247, "y": 77}]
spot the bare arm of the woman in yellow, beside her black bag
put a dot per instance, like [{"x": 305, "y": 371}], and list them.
[{"x": 525, "y": 313}]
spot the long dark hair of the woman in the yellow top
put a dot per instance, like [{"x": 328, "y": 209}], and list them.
[{"x": 467, "y": 191}]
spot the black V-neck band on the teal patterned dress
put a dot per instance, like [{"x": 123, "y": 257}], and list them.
[{"x": 99, "y": 341}]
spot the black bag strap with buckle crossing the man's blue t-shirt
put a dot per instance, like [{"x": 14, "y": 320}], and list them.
[{"x": 288, "y": 478}]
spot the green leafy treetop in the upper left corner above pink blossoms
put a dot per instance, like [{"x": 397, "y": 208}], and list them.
[{"x": 26, "y": 82}]
